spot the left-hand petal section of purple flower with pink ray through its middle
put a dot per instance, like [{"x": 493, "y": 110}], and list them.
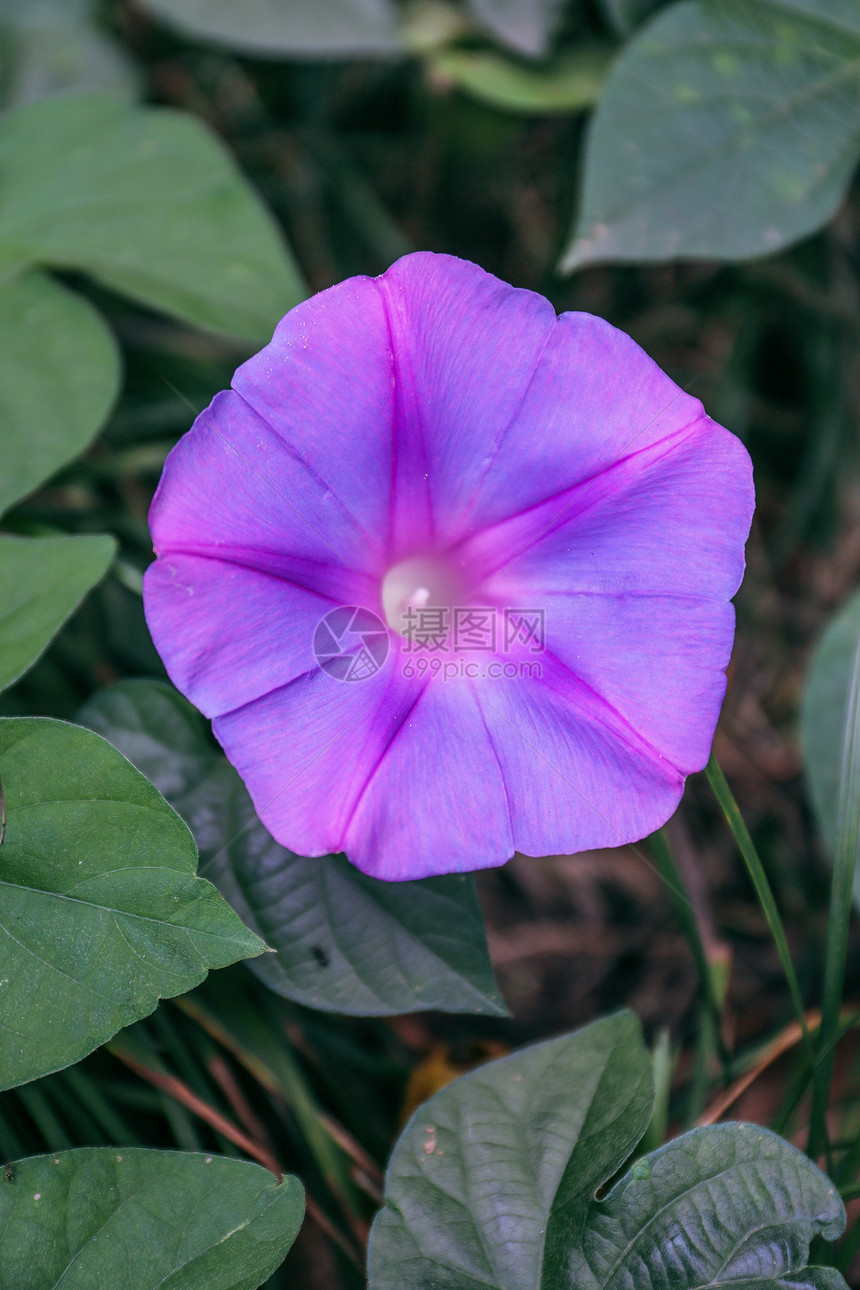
[{"x": 252, "y": 554}]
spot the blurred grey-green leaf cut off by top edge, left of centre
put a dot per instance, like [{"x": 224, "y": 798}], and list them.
[{"x": 279, "y": 29}]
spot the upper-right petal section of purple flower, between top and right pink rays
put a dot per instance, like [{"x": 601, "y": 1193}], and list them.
[{"x": 505, "y": 404}]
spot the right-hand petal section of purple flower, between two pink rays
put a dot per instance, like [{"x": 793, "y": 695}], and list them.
[{"x": 634, "y": 573}]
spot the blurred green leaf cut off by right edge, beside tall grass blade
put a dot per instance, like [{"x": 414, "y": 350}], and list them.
[{"x": 823, "y": 717}]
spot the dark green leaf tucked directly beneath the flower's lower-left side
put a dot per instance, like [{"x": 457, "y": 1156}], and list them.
[{"x": 345, "y": 942}]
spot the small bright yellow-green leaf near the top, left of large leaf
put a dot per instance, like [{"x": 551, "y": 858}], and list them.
[{"x": 573, "y": 82}]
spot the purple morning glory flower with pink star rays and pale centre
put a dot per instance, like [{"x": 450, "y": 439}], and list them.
[{"x": 452, "y": 576}]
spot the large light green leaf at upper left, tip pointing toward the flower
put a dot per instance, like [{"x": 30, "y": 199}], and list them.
[{"x": 148, "y": 202}]
